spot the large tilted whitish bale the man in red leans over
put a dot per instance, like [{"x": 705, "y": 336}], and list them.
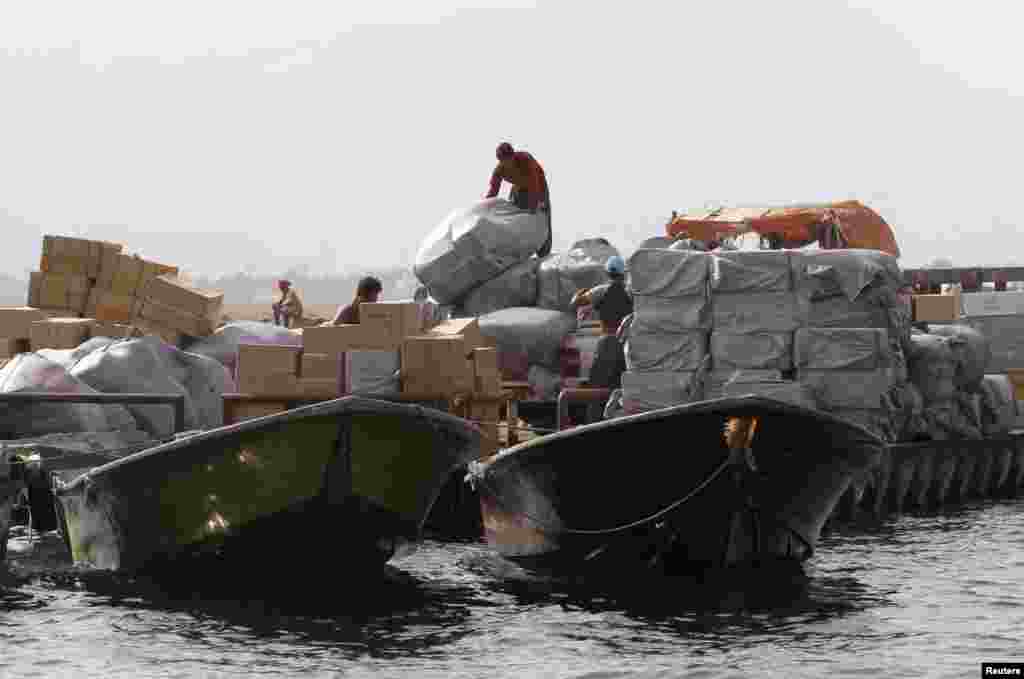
[{"x": 474, "y": 245}]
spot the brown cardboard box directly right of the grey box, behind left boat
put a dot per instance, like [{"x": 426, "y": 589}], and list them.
[{"x": 436, "y": 366}]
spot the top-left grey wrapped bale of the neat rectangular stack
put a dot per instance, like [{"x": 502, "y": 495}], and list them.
[{"x": 669, "y": 273}]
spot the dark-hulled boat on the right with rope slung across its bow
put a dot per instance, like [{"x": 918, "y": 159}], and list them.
[{"x": 670, "y": 488}]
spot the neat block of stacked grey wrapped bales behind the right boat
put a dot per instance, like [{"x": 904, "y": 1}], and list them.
[{"x": 819, "y": 329}]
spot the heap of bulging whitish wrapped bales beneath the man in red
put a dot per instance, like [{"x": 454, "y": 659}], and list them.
[{"x": 481, "y": 263}]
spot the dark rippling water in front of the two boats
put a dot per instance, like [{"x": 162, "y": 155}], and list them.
[{"x": 915, "y": 597}]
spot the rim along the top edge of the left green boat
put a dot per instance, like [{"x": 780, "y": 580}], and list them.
[{"x": 345, "y": 406}]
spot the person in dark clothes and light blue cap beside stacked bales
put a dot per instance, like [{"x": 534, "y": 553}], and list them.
[{"x": 612, "y": 304}]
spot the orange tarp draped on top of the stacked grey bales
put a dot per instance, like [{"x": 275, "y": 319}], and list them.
[{"x": 861, "y": 227}]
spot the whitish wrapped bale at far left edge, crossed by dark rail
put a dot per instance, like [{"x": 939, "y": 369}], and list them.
[{"x": 30, "y": 372}]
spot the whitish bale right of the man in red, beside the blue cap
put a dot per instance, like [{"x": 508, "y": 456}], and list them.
[{"x": 562, "y": 276}]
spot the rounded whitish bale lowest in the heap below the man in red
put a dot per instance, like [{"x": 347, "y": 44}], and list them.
[{"x": 534, "y": 334}]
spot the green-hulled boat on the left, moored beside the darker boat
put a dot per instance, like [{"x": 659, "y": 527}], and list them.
[{"x": 352, "y": 480}]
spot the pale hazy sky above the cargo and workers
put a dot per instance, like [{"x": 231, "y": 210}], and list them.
[{"x": 254, "y": 136}]
